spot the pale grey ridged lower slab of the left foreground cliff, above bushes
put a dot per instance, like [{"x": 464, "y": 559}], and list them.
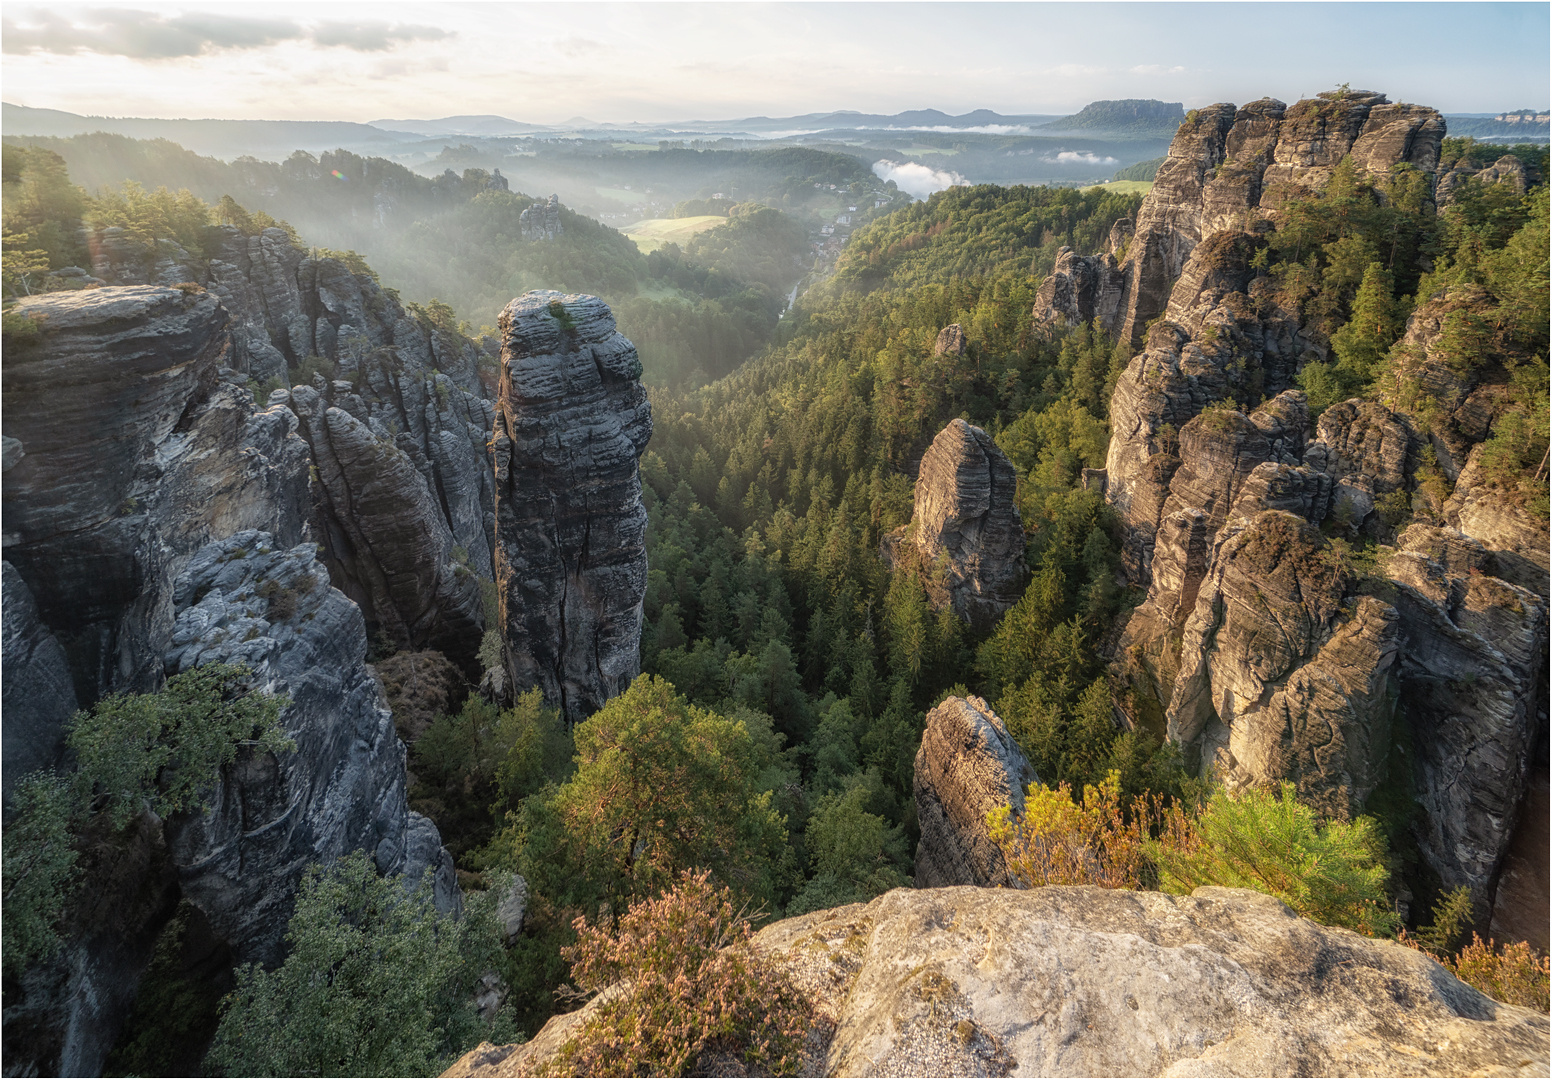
[{"x": 248, "y": 601}]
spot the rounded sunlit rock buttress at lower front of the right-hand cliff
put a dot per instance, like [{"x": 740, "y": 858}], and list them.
[{"x": 1284, "y": 674}]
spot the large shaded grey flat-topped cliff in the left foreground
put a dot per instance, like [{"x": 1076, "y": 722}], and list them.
[{"x": 161, "y": 519}]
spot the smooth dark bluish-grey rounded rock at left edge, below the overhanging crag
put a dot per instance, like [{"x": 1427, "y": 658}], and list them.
[{"x": 40, "y": 694}]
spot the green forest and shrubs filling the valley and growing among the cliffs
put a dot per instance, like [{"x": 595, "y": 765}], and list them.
[{"x": 788, "y": 663}]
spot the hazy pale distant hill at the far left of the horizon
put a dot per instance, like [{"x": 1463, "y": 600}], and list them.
[{"x": 224, "y": 139}]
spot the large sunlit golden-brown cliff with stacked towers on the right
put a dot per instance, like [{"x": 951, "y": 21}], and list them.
[{"x": 1258, "y": 648}]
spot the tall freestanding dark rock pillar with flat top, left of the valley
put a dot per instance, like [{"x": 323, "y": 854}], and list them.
[{"x": 572, "y": 421}]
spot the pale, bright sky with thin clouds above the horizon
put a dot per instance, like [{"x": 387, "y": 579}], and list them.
[{"x": 622, "y": 63}]
